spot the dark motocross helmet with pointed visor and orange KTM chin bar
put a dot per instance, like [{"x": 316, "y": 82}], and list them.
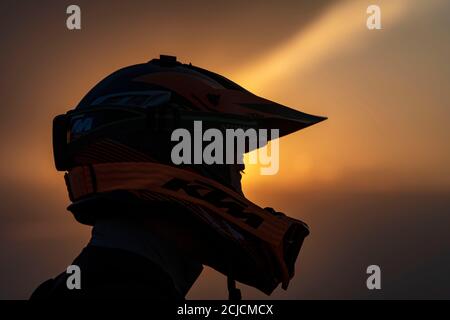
[{"x": 115, "y": 147}]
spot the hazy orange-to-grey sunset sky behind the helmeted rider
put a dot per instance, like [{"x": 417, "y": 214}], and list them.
[{"x": 373, "y": 182}]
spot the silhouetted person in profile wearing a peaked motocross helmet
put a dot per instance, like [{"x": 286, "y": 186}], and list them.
[{"x": 156, "y": 222}]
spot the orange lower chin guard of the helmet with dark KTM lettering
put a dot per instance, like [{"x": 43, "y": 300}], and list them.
[{"x": 276, "y": 238}]
